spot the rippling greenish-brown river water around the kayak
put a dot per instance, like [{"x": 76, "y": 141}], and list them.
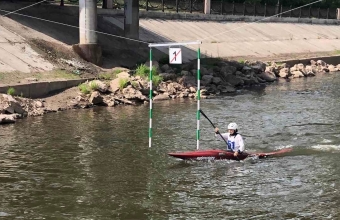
[{"x": 96, "y": 164}]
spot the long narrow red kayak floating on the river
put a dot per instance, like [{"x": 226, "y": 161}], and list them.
[{"x": 223, "y": 155}]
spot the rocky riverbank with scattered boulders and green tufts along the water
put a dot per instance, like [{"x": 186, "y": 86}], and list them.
[{"x": 131, "y": 87}]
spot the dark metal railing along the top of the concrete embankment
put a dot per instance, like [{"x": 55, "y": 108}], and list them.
[{"x": 223, "y": 7}]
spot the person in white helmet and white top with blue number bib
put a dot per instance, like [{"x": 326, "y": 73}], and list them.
[{"x": 234, "y": 140}]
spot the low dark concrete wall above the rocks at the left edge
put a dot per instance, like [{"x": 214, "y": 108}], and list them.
[{"x": 42, "y": 89}]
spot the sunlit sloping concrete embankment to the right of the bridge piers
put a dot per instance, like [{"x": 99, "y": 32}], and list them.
[{"x": 230, "y": 39}]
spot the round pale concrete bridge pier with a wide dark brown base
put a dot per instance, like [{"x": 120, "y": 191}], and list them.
[{"x": 88, "y": 47}]
